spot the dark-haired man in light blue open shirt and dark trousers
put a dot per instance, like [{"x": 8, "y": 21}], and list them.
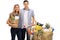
[{"x": 27, "y": 15}]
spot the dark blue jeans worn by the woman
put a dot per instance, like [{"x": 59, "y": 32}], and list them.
[{"x": 14, "y": 32}]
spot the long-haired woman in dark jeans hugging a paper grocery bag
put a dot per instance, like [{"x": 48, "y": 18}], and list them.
[{"x": 13, "y": 23}]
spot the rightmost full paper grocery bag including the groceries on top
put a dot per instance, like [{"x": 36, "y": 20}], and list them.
[{"x": 47, "y": 32}]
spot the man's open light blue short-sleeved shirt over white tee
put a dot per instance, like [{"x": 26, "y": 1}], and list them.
[{"x": 30, "y": 14}]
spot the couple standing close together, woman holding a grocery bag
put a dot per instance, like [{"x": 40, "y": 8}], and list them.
[{"x": 19, "y": 20}]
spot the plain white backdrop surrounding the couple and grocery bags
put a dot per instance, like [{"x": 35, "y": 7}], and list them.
[{"x": 45, "y": 11}]
